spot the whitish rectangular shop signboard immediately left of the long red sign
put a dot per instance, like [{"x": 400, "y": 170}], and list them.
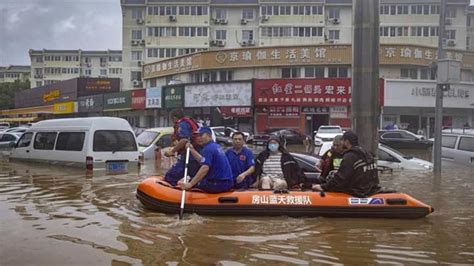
[{"x": 222, "y": 94}]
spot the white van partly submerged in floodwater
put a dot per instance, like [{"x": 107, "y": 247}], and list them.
[{"x": 99, "y": 143}]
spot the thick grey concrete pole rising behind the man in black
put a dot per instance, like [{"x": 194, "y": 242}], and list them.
[{"x": 365, "y": 72}]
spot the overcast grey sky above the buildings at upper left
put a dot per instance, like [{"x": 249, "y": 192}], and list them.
[{"x": 58, "y": 24}]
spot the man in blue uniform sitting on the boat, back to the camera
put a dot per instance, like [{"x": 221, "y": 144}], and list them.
[{"x": 214, "y": 175}]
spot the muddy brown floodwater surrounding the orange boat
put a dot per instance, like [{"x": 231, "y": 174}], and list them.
[{"x": 59, "y": 216}]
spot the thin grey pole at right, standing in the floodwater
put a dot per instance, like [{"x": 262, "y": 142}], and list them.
[{"x": 439, "y": 92}]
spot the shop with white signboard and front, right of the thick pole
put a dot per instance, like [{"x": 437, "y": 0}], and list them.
[{"x": 411, "y": 105}]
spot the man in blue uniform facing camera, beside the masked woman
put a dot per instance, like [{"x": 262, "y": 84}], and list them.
[{"x": 241, "y": 162}]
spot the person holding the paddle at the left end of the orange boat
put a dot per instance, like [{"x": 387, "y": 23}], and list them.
[{"x": 185, "y": 130}]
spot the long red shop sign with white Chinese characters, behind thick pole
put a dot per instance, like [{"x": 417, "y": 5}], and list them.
[{"x": 306, "y": 92}]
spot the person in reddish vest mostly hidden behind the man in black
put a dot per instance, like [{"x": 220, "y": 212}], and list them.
[{"x": 331, "y": 159}]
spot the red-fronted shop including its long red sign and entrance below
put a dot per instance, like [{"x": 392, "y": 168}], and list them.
[{"x": 303, "y": 104}]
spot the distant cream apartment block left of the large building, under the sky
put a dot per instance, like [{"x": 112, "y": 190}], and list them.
[{"x": 51, "y": 66}]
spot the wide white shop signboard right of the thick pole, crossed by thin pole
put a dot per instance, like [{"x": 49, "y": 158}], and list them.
[{"x": 400, "y": 93}]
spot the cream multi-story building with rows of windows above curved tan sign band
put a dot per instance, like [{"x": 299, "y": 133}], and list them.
[{"x": 157, "y": 29}]
